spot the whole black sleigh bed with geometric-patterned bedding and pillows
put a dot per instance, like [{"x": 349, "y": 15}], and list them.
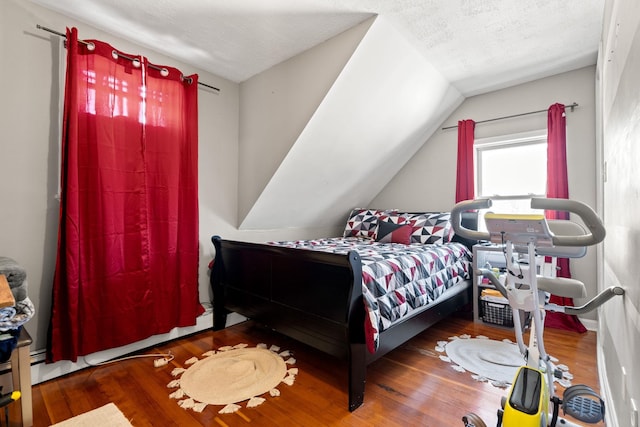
[{"x": 391, "y": 276}]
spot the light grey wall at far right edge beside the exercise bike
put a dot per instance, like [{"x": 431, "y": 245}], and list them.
[{"x": 619, "y": 119}]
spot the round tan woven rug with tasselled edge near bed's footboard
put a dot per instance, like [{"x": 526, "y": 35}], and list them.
[{"x": 232, "y": 375}]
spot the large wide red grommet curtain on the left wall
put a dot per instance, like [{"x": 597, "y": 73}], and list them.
[{"x": 127, "y": 265}]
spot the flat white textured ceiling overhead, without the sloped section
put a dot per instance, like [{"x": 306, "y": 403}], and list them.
[{"x": 478, "y": 45}]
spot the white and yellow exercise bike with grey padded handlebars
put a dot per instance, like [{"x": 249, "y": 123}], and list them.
[{"x": 531, "y": 401}]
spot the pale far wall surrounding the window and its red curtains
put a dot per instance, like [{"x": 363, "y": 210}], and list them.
[{"x": 427, "y": 182}]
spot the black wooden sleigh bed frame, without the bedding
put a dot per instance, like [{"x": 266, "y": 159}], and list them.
[{"x": 315, "y": 298}]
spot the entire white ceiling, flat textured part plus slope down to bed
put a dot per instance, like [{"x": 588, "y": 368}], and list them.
[{"x": 417, "y": 63}]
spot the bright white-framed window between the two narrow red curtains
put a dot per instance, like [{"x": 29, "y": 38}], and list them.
[{"x": 511, "y": 169}]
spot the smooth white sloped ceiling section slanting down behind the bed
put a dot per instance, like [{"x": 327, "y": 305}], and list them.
[{"x": 381, "y": 109}]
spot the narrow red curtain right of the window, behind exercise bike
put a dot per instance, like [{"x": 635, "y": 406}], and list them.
[{"x": 558, "y": 187}]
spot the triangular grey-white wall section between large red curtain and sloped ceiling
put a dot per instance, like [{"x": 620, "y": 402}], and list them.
[{"x": 277, "y": 104}]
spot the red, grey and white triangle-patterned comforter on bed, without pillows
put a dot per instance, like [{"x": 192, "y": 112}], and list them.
[{"x": 397, "y": 280}]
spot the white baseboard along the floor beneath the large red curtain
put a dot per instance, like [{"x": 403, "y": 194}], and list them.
[{"x": 41, "y": 371}]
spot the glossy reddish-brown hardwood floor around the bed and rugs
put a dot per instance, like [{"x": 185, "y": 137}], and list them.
[{"x": 409, "y": 386}]
